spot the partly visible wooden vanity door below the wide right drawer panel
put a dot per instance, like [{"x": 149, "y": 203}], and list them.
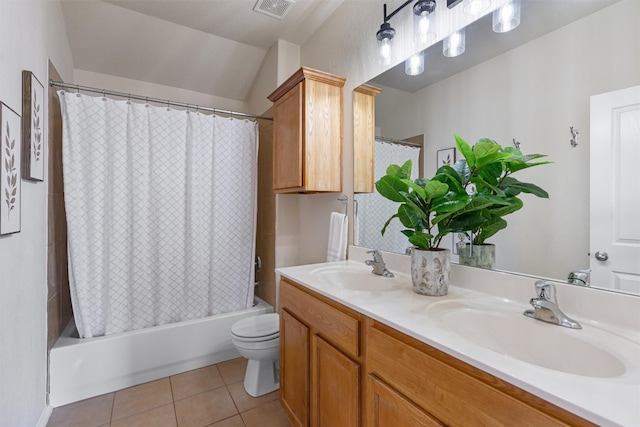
[{"x": 388, "y": 408}]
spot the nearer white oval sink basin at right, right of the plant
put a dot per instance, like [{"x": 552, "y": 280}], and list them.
[{"x": 503, "y": 329}]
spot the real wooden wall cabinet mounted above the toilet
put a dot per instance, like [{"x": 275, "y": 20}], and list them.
[{"x": 307, "y": 133}]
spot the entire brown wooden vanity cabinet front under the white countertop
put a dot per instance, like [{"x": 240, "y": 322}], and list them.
[{"x": 339, "y": 368}]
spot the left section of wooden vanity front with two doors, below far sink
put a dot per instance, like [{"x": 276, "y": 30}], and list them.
[{"x": 320, "y": 360}]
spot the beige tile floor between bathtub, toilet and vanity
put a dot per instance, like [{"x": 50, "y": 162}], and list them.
[{"x": 212, "y": 396}]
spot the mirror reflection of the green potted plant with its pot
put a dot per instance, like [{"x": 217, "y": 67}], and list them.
[{"x": 486, "y": 173}]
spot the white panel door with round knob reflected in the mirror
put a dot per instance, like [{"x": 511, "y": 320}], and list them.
[{"x": 615, "y": 190}]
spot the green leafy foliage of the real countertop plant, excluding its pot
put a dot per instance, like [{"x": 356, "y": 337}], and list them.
[{"x": 427, "y": 207}]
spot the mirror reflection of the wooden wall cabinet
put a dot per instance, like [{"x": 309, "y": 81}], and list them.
[{"x": 364, "y": 134}]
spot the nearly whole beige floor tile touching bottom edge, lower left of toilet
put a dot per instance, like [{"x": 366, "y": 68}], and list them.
[{"x": 205, "y": 408}]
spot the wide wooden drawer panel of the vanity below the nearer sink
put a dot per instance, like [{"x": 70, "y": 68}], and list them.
[{"x": 450, "y": 390}]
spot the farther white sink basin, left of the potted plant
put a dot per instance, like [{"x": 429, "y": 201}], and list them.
[{"x": 360, "y": 278}]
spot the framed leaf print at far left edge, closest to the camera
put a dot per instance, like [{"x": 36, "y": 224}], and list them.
[{"x": 10, "y": 170}]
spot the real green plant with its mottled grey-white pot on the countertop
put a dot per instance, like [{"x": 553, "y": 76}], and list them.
[{"x": 426, "y": 210}]
